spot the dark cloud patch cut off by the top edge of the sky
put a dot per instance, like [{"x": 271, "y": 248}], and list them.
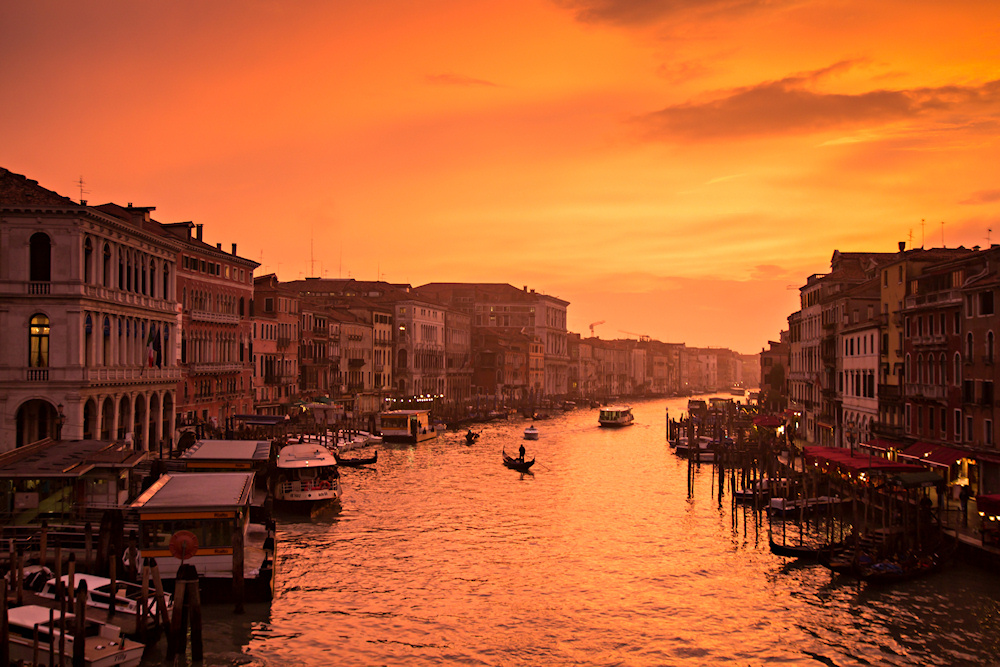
[{"x": 645, "y": 12}]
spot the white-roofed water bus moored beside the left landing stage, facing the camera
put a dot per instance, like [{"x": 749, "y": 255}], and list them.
[{"x": 307, "y": 475}]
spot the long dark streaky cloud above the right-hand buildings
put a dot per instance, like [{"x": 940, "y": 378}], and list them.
[{"x": 792, "y": 106}]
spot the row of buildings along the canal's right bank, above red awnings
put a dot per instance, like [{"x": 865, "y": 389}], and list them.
[{"x": 896, "y": 352}]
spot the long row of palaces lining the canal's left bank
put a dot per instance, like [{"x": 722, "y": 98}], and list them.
[{"x": 120, "y": 327}]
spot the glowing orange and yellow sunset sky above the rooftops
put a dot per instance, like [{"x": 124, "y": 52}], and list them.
[{"x": 674, "y": 168}]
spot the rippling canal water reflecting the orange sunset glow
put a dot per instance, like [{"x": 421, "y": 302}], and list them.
[{"x": 443, "y": 556}]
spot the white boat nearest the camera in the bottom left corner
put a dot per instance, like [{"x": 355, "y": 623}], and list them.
[{"x": 104, "y": 645}]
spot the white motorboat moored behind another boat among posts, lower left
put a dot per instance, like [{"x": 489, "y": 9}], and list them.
[{"x": 41, "y": 589}]
